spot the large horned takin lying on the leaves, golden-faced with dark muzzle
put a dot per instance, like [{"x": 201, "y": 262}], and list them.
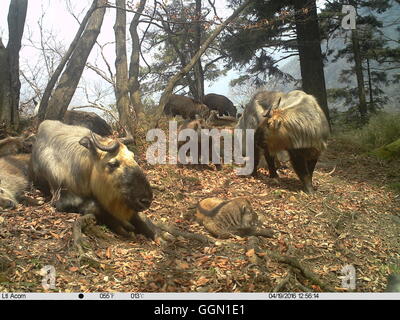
[{"x": 83, "y": 170}]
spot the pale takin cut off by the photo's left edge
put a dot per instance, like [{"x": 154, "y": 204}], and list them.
[{"x": 13, "y": 179}]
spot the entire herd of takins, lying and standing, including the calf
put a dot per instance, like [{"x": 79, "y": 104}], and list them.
[{"x": 83, "y": 169}]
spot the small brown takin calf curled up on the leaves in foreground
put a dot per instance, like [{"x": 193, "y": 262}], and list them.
[{"x": 223, "y": 219}]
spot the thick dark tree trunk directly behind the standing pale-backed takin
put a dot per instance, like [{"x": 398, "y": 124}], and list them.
[{"x": 309, "y": 46}]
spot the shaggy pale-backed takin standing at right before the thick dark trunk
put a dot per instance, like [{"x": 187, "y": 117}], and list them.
[{"x": 295, "y": 123}]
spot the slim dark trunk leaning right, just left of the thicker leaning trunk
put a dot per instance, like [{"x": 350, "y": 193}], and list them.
[{"x": 53, "y": 80}]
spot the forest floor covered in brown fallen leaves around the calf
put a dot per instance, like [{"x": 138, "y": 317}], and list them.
[{"x": 352, "y": 219}]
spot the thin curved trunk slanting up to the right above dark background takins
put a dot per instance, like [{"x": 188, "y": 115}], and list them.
[{"x": 171, "y": 83}]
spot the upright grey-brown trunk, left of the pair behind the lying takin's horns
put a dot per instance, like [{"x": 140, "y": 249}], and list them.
[{"x": 127, "y": 116}]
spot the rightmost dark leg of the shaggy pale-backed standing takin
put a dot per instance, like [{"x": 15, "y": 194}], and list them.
[{"x": 298, "y": 158}]
